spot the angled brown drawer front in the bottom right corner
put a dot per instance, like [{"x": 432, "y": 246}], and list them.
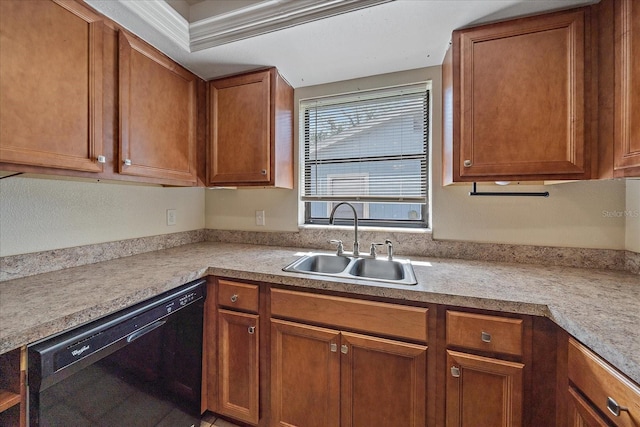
[{"x": 603, "y": 385}]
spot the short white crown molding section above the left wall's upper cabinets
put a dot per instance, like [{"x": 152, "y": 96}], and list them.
[{"x": 163, "y": 18}]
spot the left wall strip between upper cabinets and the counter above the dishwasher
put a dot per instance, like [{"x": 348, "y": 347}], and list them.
[{"x": 43, "y": 214}]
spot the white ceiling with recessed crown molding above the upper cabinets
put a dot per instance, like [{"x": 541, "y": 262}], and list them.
[{"x": 391, "y": 35}]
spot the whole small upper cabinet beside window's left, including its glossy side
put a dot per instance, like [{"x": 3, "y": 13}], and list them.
[{"x": 251, "y": 131}]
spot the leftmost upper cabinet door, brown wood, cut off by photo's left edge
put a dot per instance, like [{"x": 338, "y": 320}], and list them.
[{"x": 51, "y": 146}]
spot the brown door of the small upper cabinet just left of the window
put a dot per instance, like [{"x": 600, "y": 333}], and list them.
[{"x": 240, "y": 129}]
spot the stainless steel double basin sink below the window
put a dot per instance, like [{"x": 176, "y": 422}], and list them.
[{"x": 398, "y": 271}]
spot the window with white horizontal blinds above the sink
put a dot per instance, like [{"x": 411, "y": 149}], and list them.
[{"x": 370, "y": 149}]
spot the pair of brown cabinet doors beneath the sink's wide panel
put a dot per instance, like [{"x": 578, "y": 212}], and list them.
[{"x": 324, "y": 377}]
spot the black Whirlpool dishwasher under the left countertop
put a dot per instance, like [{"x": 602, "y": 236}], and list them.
[{"x": 138, "y": 367}]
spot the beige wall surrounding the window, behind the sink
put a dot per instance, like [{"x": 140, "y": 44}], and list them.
[{"x": 572, "y": 216}]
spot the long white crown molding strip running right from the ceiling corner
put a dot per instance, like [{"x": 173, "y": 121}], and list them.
[{"x": 265, "y": 17}]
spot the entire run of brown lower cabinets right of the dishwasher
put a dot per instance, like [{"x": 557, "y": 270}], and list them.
[{"x": 282, "y": 357}]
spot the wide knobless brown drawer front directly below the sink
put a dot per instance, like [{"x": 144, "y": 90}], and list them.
[{"x": 367, "y": 316}]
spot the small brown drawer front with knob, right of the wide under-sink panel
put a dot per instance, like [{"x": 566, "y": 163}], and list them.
[{"x": 486, "y": 333}]
